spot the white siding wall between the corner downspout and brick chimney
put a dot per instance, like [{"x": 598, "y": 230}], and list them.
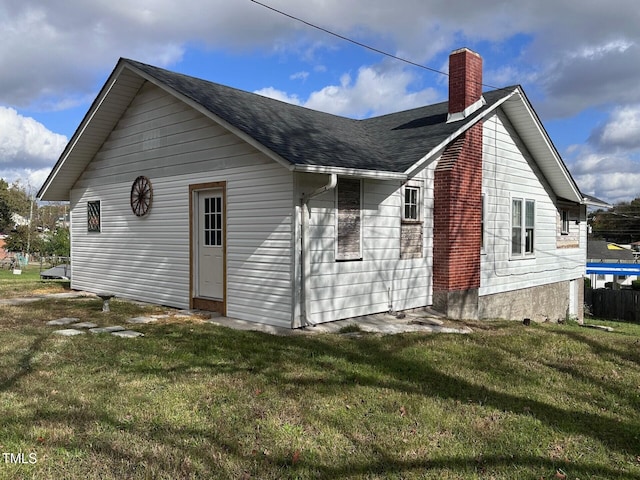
[{"x": 381, "y": 280}]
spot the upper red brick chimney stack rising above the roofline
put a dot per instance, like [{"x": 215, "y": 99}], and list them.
[{"x": 465, "y": 83}]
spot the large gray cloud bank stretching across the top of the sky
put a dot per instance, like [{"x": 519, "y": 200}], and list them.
[{"x": 41, "y": 40}]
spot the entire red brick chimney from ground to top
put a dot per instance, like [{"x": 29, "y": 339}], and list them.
[{"x": 458, "y": 197}]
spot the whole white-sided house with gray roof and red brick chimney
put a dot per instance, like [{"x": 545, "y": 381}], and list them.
[{"x": 192, "y": 194}]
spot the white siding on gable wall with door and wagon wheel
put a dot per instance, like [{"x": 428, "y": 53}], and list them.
[{"x": 147, "y": 258}]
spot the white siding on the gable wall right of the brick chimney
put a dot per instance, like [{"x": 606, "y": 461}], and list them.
[{"x": 509, "y": 173}]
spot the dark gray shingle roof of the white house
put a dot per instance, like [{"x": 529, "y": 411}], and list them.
[{"x": 301, "y": 136}]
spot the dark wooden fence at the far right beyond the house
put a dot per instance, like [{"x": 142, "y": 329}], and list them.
[{"x": 610, "y": 304}]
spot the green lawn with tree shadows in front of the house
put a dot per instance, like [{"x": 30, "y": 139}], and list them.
[{"x": 193, "y": 400}]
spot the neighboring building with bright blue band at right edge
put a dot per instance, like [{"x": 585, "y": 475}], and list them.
[{"x": 609, "y": 262}]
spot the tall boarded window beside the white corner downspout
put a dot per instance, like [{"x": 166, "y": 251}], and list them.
[{"x": 349, "y": 219}]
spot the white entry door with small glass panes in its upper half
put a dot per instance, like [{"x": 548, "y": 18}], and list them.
[{"x": 210, "y": 245}]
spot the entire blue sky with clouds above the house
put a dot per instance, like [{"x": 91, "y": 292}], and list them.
[{"x": 579, "y": 63}]
